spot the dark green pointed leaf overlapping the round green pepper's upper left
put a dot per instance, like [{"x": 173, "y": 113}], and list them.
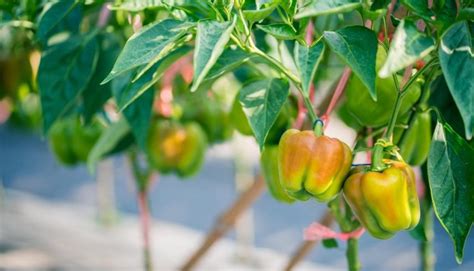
[{"x": 357, "y": 46}]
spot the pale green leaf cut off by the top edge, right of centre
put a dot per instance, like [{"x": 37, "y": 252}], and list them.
[{"x": 324, "y": 7}]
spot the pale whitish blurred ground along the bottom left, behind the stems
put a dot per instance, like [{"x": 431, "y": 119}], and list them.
[{"x": 36, "y": 234}]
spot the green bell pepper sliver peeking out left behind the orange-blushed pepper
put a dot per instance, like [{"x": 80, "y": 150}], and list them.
[{"x": 269, "y": 166}]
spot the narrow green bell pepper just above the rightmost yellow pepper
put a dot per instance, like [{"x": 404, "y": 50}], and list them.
[{"x": 414, "y": 143}]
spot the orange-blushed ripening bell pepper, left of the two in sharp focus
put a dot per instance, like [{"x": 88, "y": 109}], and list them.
[{"x": 311, "y": 165}]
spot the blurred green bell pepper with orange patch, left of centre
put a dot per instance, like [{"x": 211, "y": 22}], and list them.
[{"x": 177, "y": 148}]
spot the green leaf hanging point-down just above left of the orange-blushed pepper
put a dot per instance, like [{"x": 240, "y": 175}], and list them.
[{"x": 262, "y": 101}]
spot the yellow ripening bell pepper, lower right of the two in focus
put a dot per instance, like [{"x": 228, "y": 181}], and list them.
[{"x": 384, "y": 202}]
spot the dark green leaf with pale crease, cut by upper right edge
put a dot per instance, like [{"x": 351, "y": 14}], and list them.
[{"x": 456, "y": 56}]
